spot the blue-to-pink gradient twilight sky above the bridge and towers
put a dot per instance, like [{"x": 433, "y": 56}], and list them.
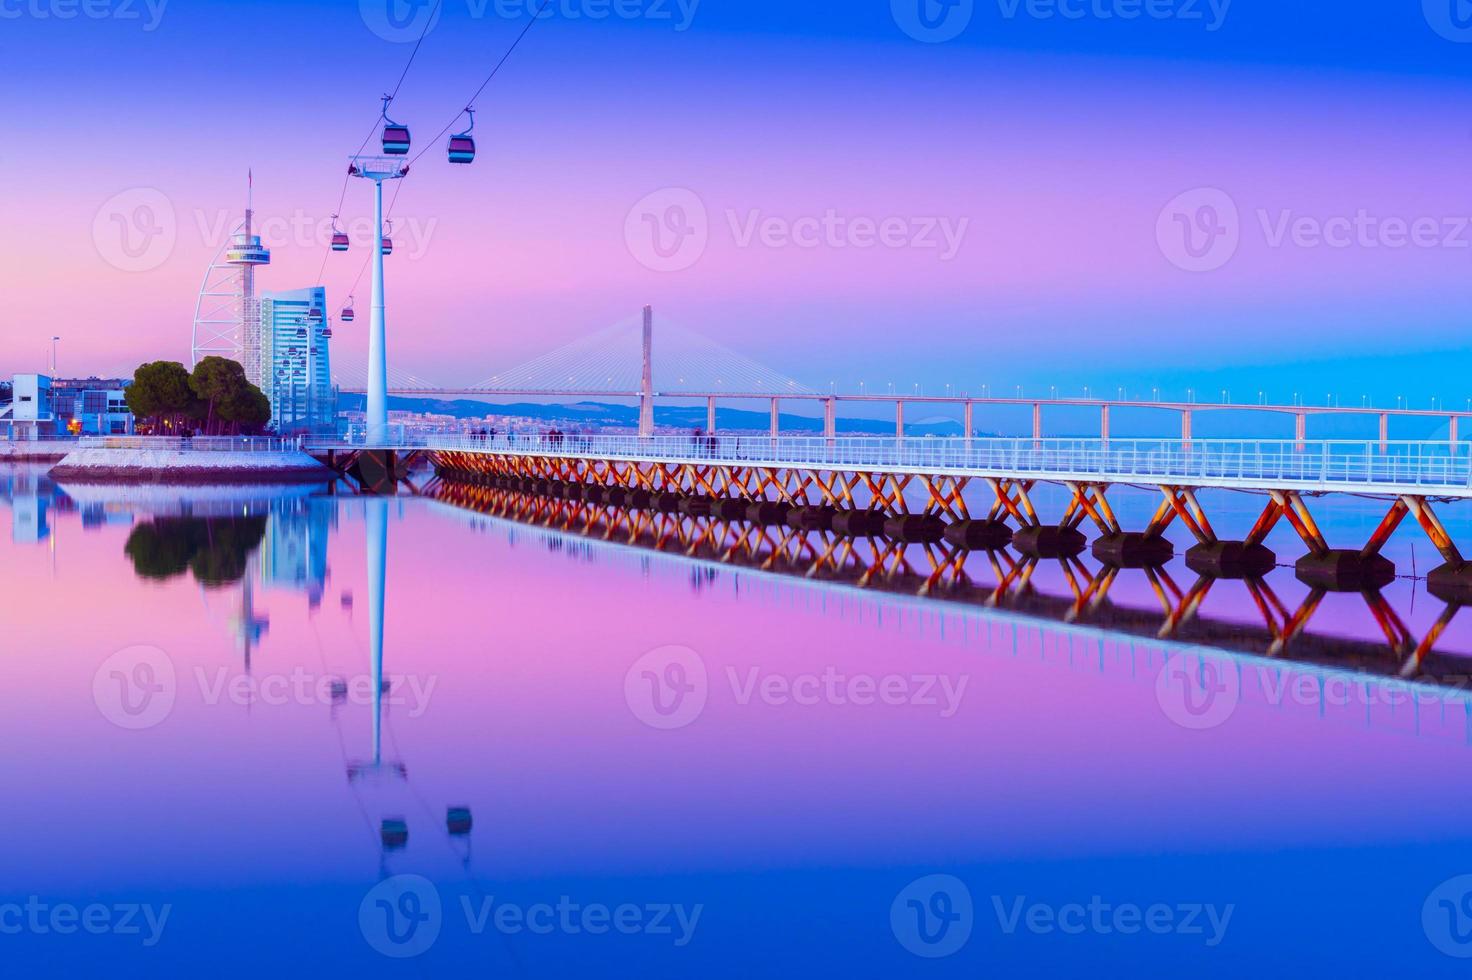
[{"x": 1222, "y": 196}]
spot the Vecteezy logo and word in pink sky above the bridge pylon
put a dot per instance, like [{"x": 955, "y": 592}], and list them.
[{"x": 670, "y": 230}]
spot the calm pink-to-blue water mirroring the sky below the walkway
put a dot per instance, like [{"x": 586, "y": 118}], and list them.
[{"x": 681, "y": 767}]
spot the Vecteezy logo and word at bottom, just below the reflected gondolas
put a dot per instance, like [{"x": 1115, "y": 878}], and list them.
[{"x": 404, "y": 917}]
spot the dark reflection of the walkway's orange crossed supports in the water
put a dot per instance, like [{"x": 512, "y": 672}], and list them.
[{"x": 940, "y": 572}]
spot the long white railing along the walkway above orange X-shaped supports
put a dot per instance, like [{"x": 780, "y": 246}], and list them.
[{"x": 1409, "y": 466}]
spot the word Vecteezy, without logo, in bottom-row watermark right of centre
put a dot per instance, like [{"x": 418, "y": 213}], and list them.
[{"x": 1114, "y": 919}]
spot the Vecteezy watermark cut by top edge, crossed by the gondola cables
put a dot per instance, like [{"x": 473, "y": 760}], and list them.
[{"x": 407, "y": 21}]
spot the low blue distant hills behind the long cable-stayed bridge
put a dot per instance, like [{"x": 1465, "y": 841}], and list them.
[{"x": 673, "y": 417}]
